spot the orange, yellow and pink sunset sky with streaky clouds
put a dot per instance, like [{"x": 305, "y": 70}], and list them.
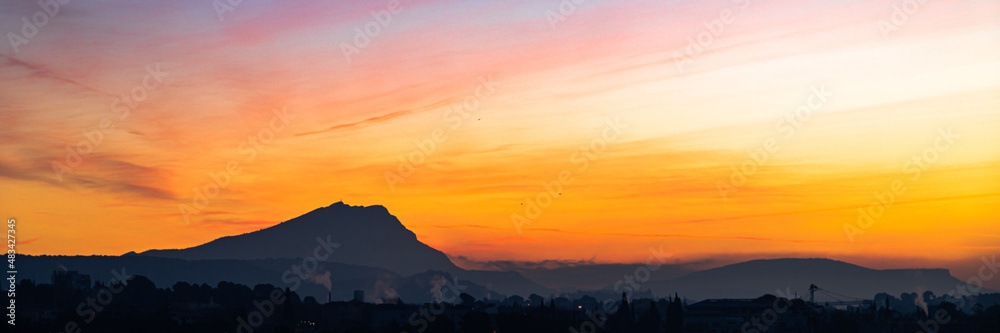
[{"x": 864, "y": 131}]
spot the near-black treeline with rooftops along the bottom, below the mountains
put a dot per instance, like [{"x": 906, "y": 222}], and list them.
[{"x": 137, "y": 305}]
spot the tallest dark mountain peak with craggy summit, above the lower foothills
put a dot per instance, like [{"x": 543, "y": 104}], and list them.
[{"x": 367, "y": 236}]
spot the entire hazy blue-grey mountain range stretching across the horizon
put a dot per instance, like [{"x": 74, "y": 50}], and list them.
[{"x": 371, "y": 250}]
